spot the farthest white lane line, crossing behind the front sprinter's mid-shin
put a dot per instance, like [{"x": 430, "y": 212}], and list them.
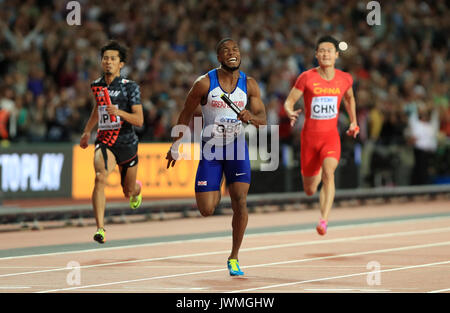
[{"x": 343, "y": 227}]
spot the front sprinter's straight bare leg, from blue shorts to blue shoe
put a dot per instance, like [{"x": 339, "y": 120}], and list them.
[{"x": 238, "y": 195}]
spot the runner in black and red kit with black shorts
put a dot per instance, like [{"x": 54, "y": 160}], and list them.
[{"x": 116, "y": 142}]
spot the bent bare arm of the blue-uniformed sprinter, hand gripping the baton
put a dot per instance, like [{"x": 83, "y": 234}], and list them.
[{"x": 257, "y": 114}]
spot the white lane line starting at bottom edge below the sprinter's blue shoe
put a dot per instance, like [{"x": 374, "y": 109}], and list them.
[{"x": 340, "y": 276}]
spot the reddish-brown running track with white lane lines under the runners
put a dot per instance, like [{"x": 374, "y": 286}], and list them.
[{"x": 406, "y": 255}]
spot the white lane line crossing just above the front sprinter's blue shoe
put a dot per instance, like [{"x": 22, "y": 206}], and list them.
[{"x": 202, "y": 254}]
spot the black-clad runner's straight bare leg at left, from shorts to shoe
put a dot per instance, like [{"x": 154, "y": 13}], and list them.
[{"x": 101, "y": 175}]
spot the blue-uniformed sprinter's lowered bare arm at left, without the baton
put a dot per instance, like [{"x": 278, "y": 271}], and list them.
[{"x": 198, "y": 91}]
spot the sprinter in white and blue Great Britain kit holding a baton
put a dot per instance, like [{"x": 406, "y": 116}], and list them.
[{"x": 224, "y": 150}]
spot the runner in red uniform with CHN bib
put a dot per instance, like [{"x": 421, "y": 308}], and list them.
[{"x": 323, "y": 89}]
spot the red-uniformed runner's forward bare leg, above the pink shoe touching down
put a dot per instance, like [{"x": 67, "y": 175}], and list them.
[{"x": 328, "y": 190}]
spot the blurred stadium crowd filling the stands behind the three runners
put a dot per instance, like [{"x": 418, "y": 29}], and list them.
[{"x": 400, "y": 69}]
